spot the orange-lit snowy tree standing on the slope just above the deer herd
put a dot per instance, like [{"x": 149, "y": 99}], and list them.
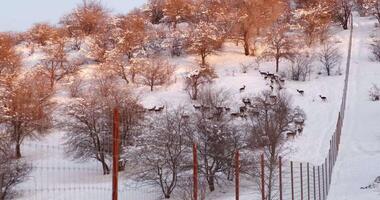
[{"x": 279, "y": 43}]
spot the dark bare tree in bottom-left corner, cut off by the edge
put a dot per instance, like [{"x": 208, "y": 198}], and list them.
[{"x": 12, "y": 171}]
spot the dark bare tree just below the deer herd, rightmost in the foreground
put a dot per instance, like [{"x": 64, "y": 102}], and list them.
[{"x": 269, "y": 119}]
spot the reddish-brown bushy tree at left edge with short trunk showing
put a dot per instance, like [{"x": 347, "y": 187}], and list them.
[{"x": 26, "y": 106}]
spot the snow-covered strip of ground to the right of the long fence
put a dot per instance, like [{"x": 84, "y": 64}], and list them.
[{"x": 358, "y": 162}]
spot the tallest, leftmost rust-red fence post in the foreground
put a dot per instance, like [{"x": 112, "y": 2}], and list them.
[{"x": 115, "y": 160}]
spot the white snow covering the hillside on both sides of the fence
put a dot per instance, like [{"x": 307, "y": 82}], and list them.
[{"x": 357, "y": 165}]
